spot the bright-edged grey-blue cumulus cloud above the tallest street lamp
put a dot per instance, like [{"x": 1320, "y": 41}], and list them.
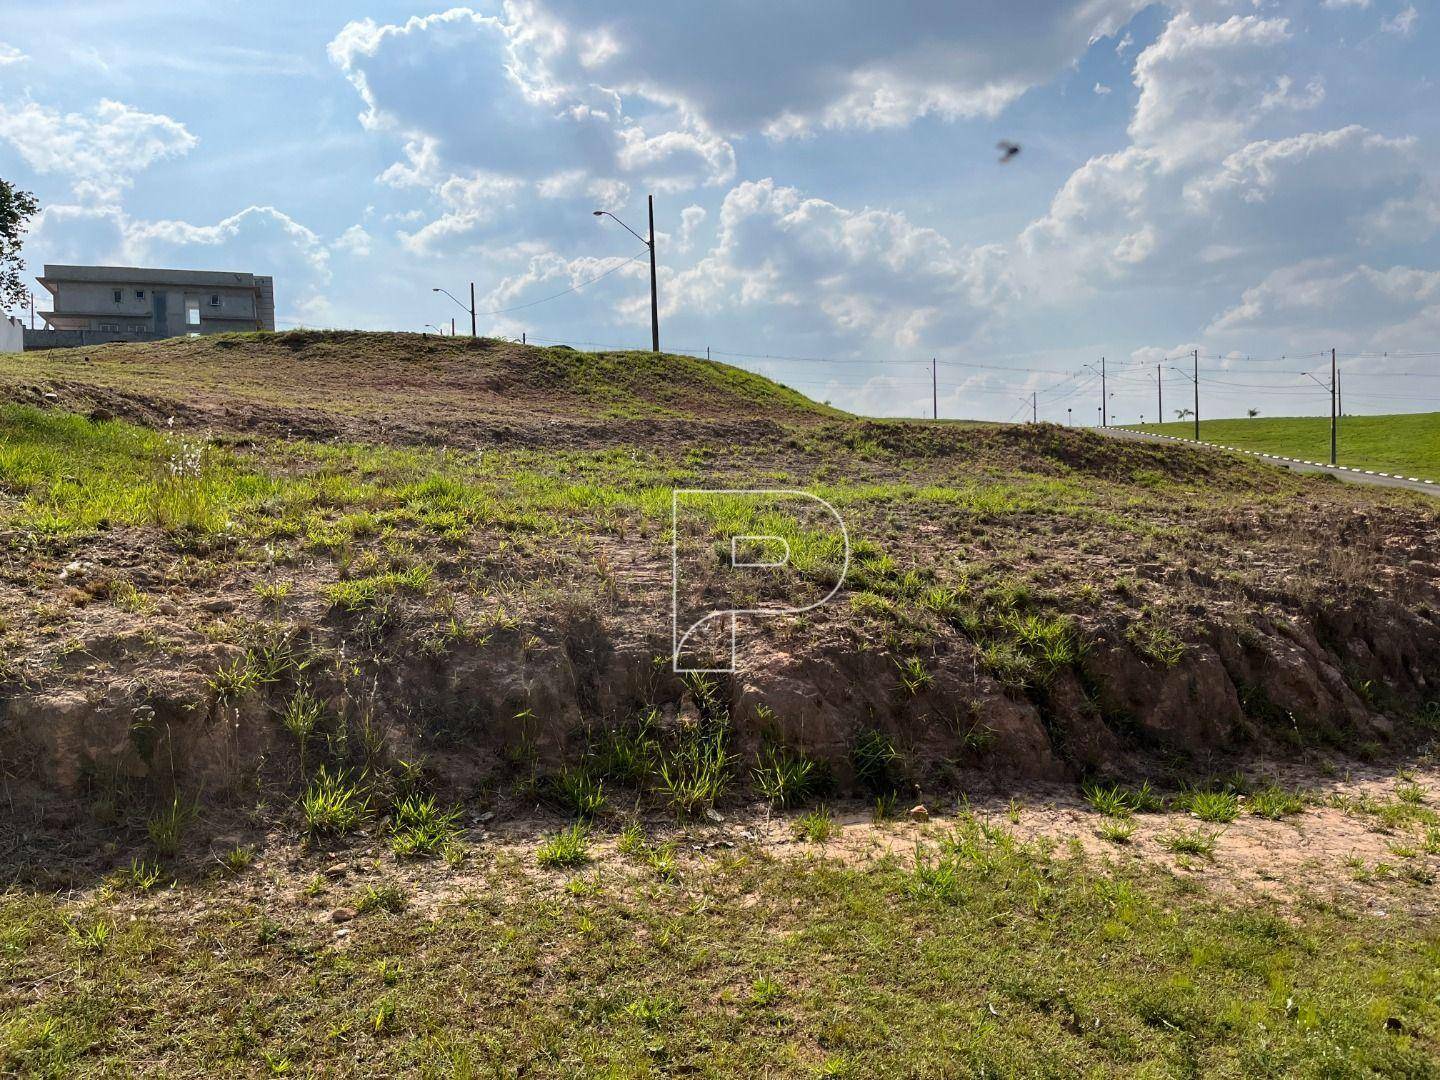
[{"x": 482, "y": 116}]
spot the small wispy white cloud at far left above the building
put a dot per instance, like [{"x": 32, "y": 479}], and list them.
[{"x": 100, "y": 152}]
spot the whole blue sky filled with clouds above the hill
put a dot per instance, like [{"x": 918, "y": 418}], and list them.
[{"x": 1255, "y": 182}]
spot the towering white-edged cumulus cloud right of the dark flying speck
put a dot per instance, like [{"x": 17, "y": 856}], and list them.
[{"x": 1196, "y": 197}]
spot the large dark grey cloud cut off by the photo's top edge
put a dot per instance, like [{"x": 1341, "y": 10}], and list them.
[{"x": 777, "y": 68}]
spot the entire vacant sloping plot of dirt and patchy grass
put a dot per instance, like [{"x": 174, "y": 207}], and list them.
[{"x": 339, "y": 735}]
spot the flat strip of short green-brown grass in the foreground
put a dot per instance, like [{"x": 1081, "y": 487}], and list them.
[{"x": 999, "y": 960}]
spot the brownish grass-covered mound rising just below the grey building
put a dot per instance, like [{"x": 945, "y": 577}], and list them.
[{"x": 402, "y": 390}]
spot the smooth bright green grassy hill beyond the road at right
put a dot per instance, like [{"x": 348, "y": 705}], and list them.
[{"x": 1408, "y": 444}]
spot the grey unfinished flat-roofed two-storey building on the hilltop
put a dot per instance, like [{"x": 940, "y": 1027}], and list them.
[{"x": 96, "y": 305}]
